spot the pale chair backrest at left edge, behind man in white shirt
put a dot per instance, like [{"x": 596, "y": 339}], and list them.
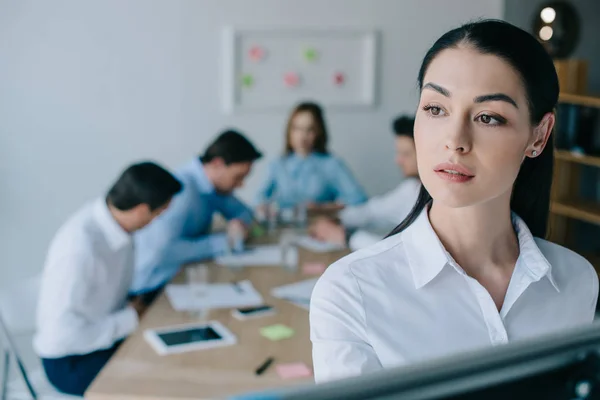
[{"x": 18, "y": 305}]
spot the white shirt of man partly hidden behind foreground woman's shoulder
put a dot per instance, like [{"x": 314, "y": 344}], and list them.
[{"x": 374, "y": 219}]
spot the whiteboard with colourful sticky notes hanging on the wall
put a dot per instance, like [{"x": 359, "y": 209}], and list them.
[{"x": 274, "y": 69}]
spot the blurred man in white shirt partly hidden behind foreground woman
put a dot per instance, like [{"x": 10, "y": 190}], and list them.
[{"x": 361, "y": 226}]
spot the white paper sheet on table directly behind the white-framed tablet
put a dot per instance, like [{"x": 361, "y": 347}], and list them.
[{"x": 216, "y": 295}]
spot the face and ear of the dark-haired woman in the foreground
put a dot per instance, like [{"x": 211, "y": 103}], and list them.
[{"x": 473, "y": 129}]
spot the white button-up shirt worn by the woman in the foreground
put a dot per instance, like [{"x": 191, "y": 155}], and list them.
[{"x": 404, "y": 300}]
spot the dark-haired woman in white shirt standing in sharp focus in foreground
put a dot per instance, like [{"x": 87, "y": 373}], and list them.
[{"x": 468, "y": 267}]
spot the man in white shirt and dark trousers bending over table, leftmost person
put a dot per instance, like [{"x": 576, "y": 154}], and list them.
[{"x": 83, "y": 311}]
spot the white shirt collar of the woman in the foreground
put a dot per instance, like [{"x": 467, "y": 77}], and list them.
[{"x": 427, "y": 255}]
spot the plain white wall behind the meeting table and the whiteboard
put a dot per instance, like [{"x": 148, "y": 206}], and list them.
[{"x": 87, "y": 87}]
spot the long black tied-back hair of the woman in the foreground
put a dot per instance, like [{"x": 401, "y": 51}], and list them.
[{"x": 531, "y": 191}]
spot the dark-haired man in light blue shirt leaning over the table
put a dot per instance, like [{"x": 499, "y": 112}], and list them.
[{"x": 183, "y": 233}]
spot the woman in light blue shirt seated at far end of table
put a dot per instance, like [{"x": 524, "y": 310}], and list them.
[{"x": 307, "y": 173}]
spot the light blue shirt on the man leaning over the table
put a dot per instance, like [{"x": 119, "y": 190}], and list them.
[{"x": 181, "y": 234}]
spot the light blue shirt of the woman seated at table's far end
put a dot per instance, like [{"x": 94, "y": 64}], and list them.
[{"x": 319, "y": 178}]
